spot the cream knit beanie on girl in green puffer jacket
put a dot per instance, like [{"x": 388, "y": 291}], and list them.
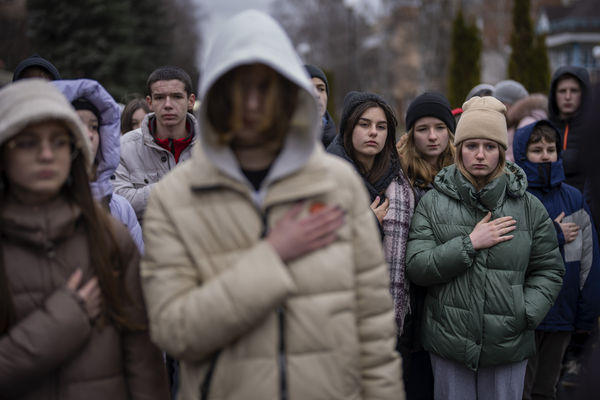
[{"x": 482, "y": 118}]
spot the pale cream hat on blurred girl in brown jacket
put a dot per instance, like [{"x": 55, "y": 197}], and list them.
[{"x": 29, "y": 101}]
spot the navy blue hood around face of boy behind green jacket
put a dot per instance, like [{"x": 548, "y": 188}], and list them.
[{"x": 544, "y": 176}]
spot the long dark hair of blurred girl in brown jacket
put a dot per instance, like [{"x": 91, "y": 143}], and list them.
[{"x": 106, "y": 259}]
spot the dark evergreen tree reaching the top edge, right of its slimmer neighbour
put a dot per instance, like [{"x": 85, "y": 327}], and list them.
[{"x": 528, "y": 61}]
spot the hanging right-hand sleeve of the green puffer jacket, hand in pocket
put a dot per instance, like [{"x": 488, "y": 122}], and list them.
[{"x": 543, "y": 278}]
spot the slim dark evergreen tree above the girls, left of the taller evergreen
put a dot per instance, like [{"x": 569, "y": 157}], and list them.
[{"x": 465, "y": 64}]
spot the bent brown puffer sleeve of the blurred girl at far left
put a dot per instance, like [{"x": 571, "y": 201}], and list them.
[{"x": 42, "y": 341}]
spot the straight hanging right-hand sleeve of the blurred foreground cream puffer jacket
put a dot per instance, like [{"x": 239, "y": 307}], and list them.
[{"x": 381, "y": 374}]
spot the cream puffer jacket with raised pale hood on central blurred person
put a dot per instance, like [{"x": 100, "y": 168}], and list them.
[{"x": 244, "y": 323}]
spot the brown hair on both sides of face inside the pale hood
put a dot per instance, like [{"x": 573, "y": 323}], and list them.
[{"x": 224, "y": 101}]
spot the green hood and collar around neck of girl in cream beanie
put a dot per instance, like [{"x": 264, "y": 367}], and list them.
[{"x": 512, "y": 183}]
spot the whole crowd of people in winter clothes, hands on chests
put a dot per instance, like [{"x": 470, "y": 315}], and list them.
[{"x": 251, "y": 249}]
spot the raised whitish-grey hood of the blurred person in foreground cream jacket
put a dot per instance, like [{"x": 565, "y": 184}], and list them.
[{"x": 248, "y": 38}]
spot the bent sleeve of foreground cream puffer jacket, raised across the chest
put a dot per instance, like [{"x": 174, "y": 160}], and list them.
[{"x": 191, "y": 319}]
